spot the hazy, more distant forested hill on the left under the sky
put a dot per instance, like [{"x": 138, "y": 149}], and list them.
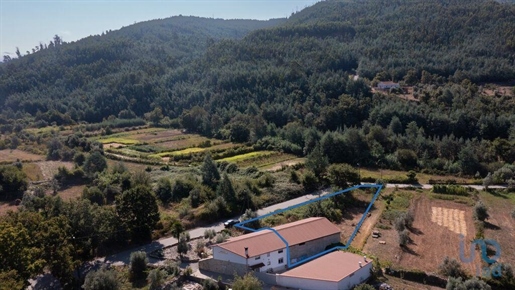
[{"x": 114, "y": 71}]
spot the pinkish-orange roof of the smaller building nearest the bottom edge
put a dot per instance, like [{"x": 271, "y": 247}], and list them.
[{"x": 333, "y": 267}]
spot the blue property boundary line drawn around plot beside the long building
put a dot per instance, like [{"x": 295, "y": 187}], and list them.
[{"x": 347, "y": 245}]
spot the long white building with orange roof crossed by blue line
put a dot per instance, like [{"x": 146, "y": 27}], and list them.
[{"x": 266, "y": 252}]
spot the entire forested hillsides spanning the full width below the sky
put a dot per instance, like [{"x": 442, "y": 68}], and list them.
[{"x": 289, "y": 81}]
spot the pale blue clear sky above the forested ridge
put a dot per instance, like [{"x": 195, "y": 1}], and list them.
[{"x": 26, "y": 23}]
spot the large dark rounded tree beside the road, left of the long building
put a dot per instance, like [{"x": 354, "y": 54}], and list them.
[{"x": 137, "y": 208}]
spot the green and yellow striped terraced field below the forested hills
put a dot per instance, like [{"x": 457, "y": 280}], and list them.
[{"x": 160, "y": 146}]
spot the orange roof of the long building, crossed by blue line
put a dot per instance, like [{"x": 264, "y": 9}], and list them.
[{"x": 266, "y": 241}]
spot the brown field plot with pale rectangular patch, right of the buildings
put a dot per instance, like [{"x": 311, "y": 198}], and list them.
[{"x": 435, "y": 235}]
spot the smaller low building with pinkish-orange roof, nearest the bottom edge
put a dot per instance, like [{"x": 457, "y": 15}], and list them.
[{"x": 335, "y": 271}]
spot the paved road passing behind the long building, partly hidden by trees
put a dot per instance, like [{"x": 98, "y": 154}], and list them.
[{"x": 124, "y": 257}]
